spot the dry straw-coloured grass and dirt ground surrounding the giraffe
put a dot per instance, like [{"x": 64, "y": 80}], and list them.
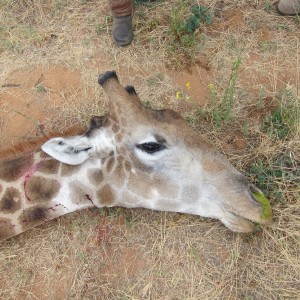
[{"x": 55, "y": 50}]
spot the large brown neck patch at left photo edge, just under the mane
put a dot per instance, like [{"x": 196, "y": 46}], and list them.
[{"x": 11, "y": 170}]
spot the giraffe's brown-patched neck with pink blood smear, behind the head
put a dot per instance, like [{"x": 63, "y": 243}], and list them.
[{"x": 36, "y": 188}]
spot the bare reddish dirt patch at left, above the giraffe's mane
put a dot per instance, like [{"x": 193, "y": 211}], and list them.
[{"x": 29, "y": 104}]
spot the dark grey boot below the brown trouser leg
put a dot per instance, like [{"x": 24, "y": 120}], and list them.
[{"x": 122, "y": 30}]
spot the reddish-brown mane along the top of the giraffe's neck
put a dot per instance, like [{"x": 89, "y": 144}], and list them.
[{"x": 33, "y": 145}]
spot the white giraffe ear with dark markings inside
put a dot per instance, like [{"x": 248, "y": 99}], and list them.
[{"x": 72, "y": 151}]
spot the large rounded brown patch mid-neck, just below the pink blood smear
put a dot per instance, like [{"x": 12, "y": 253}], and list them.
[{"x": 40, "y": 189}]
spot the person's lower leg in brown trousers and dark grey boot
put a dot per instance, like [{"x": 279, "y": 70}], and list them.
[{"x": 122, "y": 21}]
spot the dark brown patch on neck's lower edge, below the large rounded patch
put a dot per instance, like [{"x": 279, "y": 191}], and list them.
[{"x": 33, "y": 216}]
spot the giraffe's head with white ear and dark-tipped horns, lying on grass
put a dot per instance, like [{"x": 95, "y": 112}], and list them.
[{"x": 153, "y": 159}]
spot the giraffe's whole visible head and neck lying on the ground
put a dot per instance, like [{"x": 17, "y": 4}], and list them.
[{"x": 132, "y": 157}]
